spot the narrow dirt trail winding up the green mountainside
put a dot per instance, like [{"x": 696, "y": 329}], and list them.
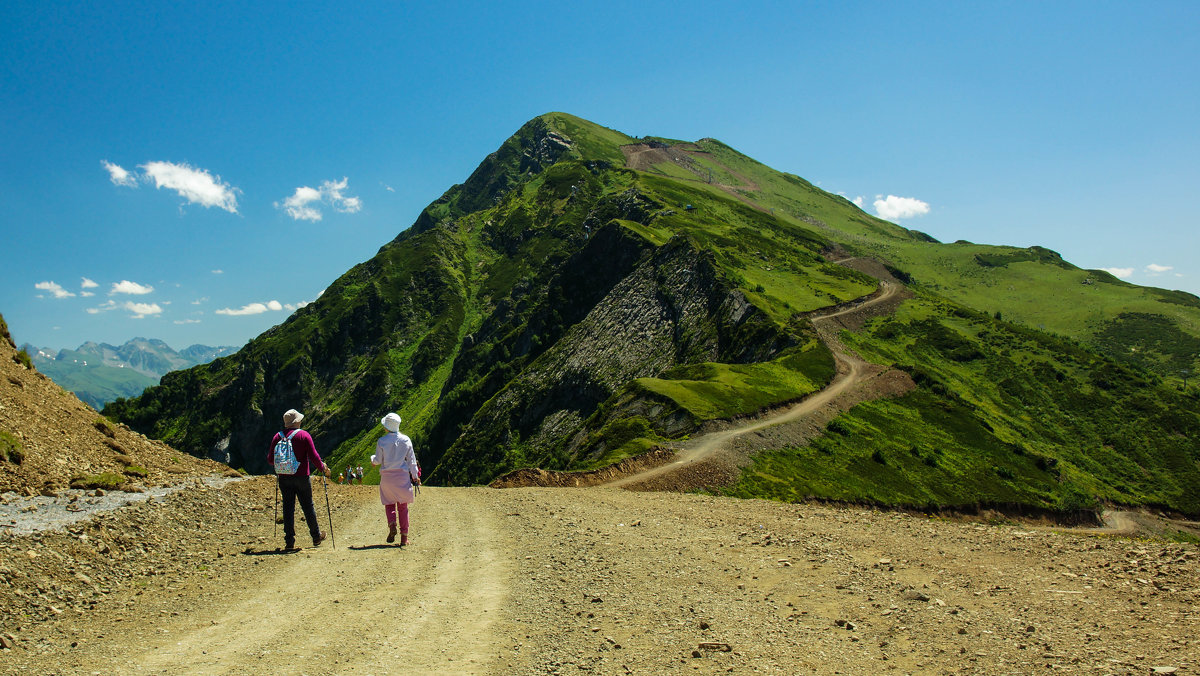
[{"x": 851, "y": 373}]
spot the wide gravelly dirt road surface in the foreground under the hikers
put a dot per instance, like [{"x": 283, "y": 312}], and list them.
[{"x": 611, "y": 582}]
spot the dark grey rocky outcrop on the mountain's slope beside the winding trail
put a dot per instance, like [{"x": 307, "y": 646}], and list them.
[{"x": 673, "y": 309}]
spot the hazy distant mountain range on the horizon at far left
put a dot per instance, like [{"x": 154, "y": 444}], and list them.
[{"x": 100, "y": 373}]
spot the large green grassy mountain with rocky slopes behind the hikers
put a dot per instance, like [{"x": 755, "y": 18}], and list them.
[{"x": 585, "y": 295}]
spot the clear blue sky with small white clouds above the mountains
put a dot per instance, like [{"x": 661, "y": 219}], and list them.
[{"x": 195, "y": 172}]
